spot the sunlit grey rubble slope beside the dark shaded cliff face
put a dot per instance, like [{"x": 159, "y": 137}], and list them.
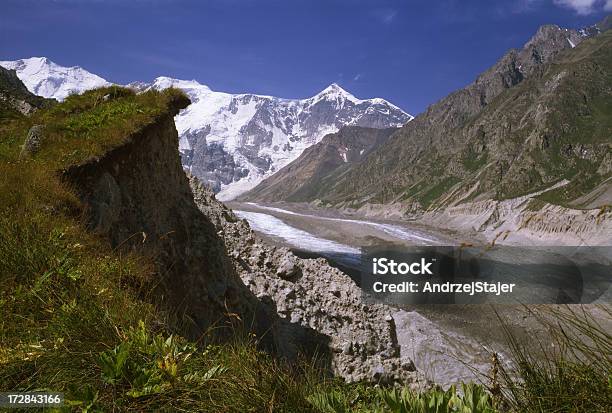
[{"x": 308, "y": 293}]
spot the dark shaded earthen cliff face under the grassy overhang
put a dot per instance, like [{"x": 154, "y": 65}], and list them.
[{"x": 138, "y": 196}]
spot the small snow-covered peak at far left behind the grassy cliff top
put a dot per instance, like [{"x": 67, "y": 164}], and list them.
[{"x": 47, "y": 79}]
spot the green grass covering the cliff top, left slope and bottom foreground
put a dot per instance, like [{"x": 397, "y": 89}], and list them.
[{"x": 79, "y": 317}]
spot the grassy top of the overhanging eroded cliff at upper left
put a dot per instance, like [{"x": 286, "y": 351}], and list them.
[{"x": 87, "y": 125}]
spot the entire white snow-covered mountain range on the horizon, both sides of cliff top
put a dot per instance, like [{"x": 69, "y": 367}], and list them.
[{"x": 231, "y": 141}]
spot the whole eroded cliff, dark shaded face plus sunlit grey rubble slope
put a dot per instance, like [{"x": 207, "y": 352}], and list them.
[{"x": 214, "y": 271}]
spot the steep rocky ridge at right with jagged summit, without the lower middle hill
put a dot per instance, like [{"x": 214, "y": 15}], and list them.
[{"x": 478, "y": 128}]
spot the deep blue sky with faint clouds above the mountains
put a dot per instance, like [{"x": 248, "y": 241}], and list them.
[{"x": 409, "y": 52}]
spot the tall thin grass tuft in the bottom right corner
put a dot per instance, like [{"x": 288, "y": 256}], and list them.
[{"x": 570, "y": 371}]
